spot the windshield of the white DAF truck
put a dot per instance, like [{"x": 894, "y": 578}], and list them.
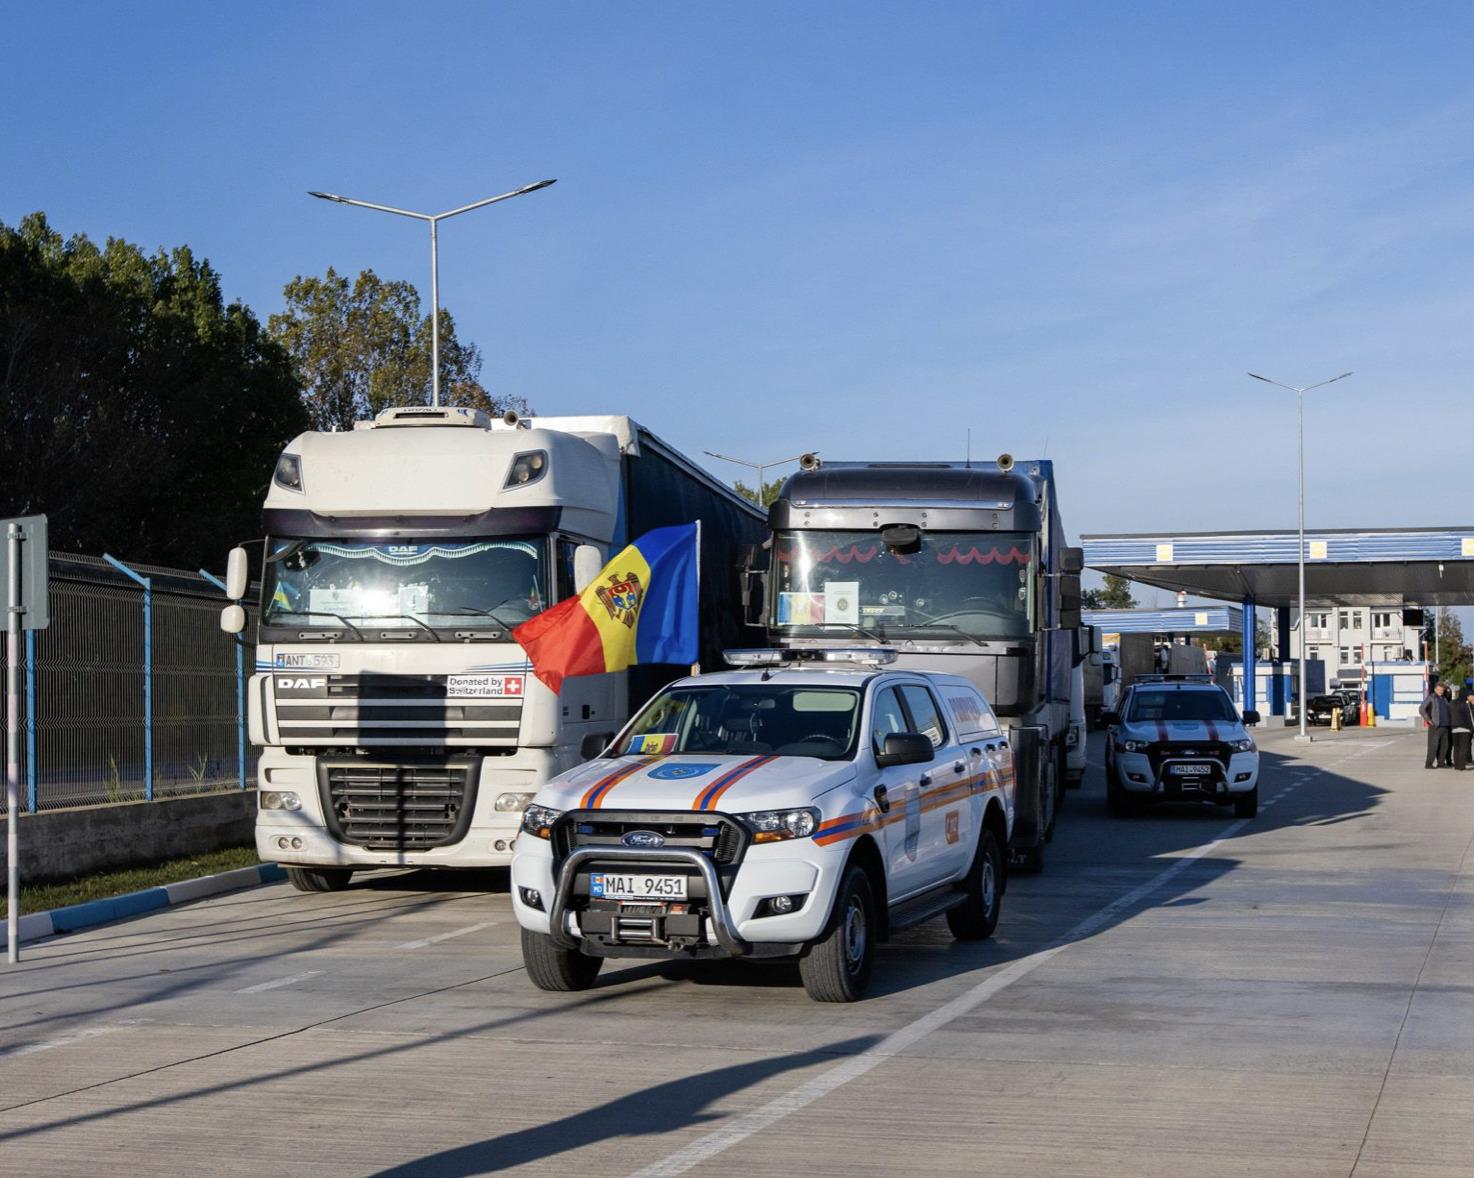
[{"x": 468, "y": 585}]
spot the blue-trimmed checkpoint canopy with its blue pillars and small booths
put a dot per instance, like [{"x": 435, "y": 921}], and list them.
[{"x": 1386, "y": 568}]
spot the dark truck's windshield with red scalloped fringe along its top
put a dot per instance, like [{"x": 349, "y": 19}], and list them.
[{"x": 977, "y": 583}]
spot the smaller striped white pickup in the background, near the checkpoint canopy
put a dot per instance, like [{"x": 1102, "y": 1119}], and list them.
[{"x": 1180, "y": 739}]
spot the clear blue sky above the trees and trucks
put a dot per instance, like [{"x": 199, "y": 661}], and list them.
[{"x": 863, "y": 229}]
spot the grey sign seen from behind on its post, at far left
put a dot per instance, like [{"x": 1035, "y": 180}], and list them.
[{"x": 23, "y": 567}]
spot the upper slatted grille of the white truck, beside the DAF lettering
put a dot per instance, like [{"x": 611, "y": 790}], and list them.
[{"x": 402, "y": 711}]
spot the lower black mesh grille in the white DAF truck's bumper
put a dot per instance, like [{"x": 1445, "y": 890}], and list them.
[{"x": 399, "y": 807}]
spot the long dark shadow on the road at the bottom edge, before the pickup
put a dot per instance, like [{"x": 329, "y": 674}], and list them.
[{"x": 676, "y": 1106}]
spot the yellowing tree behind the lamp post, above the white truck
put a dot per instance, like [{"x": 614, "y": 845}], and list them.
[{"x": 363, "y": 347}]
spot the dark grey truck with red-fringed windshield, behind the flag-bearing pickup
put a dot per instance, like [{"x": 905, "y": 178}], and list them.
[{"x": 960, "y": 568}]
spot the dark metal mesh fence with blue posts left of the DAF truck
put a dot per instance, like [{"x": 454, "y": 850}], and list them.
[{"x": 132, "y": 692}]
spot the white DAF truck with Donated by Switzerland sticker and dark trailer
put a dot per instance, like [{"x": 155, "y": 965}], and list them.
[{"x": 399, "y": 722}]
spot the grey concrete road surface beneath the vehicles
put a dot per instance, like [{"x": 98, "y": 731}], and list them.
[{"x": 1181, "y": 994}]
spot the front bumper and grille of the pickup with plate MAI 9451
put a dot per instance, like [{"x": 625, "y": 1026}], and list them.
[{"x": 730, "y": 887}]
